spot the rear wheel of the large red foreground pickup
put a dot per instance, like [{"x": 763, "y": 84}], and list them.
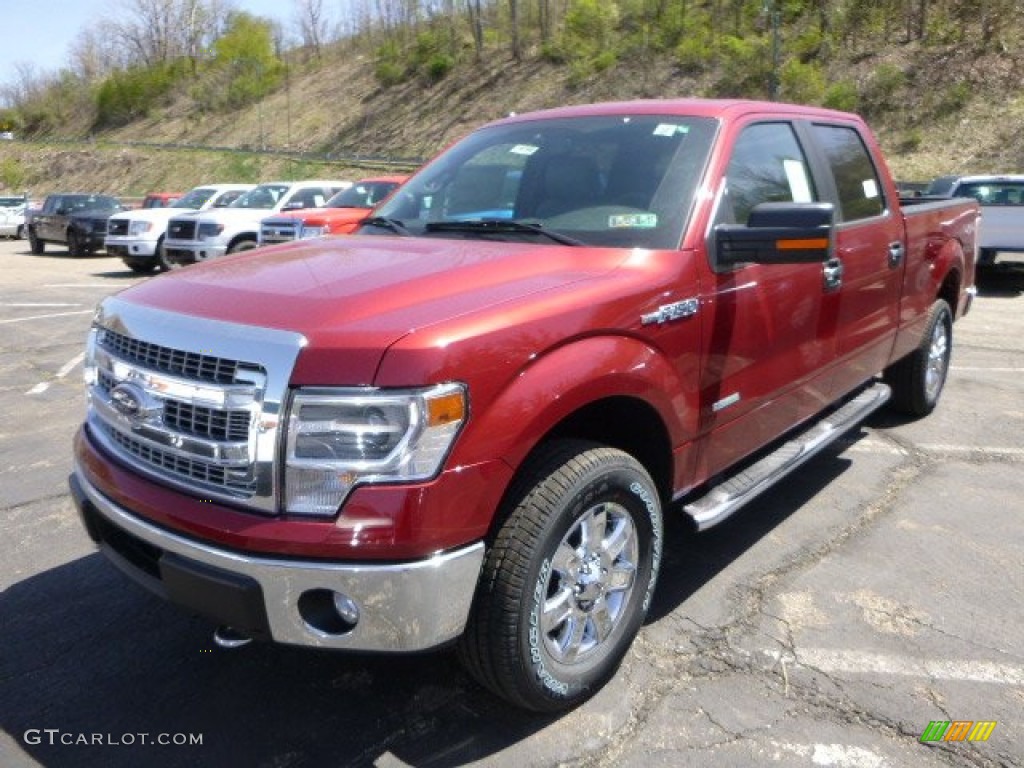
[{"x": 918, "y": 380}]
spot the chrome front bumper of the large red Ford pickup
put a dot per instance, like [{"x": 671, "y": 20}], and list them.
[{"x": 402, "y": 608}]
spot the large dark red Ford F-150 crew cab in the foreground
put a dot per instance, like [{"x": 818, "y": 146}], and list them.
[{"x": 466, "y": 422}]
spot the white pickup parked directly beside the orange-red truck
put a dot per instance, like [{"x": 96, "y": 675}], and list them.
[{"x": 206, "y": 235}]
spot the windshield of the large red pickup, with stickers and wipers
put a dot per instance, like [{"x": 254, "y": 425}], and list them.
[{"x": 624, "y": 181}]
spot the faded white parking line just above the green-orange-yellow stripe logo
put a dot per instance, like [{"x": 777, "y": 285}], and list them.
[{"x": 867, "y": 663}]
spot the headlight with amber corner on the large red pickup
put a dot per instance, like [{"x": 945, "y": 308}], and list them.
[{"x": 340, "y": 439}]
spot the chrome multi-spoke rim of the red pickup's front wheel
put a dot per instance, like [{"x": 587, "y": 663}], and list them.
[{"x": 592, "y": 576}]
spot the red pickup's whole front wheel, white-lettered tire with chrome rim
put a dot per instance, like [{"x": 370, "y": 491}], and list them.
[{"x": 569, "y": 580}]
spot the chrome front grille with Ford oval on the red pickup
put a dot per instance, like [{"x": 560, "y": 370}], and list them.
[{"x": 204, "y": 418}]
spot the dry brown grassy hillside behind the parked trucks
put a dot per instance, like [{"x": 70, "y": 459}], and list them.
[{"x": 941, "y": 112}]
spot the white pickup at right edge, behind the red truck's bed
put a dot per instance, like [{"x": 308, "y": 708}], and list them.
[{"x": 1001, "y": 236}]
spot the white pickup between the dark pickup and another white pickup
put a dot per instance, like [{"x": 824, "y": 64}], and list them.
[{"x": 138, "y": 237}]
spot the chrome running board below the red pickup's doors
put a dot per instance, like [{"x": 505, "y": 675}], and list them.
[{"x": 726, "y": 498}]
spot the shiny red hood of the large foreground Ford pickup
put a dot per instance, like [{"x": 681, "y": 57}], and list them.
[{"x": 353, "y": 297}]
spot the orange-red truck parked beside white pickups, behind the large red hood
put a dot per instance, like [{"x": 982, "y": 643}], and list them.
[{"x": 340, "y": 216}]
